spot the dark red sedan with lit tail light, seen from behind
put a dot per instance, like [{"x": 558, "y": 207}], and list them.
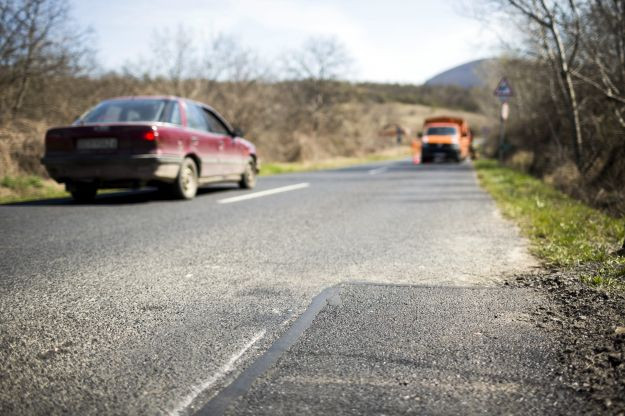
[{"x": 128, "y": 142}]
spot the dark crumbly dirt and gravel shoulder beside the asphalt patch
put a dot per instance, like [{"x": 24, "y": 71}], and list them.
[{"x": 590, "y": 326}]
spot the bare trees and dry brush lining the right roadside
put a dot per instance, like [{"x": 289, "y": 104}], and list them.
[{"x": 568, "y": 115}]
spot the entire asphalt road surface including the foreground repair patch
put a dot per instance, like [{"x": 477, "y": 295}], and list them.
[{"x": 139, "y": 305}]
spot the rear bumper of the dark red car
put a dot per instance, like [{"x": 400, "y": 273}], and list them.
[{"x": 143, "y": 168}]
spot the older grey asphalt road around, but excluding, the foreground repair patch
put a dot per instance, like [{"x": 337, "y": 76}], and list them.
[{"x": 138, "y": 305}]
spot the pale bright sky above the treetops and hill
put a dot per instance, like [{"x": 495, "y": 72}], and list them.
[{"x": 389, "y": 40}]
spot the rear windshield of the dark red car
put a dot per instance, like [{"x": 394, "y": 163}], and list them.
[{"x": 138, "y": 110}]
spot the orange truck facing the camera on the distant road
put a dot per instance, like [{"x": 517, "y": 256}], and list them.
[{"x": 443, "y": 138}]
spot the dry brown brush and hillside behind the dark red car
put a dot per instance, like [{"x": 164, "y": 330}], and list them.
[{"x": 284, "y": 131}]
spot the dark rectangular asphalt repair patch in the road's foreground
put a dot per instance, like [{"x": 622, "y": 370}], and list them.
[{"x": 380, "y": 349}]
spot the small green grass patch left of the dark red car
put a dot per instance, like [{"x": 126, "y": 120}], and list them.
[{"x": 28, "y": 188}]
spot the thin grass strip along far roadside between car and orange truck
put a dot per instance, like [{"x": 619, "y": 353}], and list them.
[{"x": 334, "y": 163}]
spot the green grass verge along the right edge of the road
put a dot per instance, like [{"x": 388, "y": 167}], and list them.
[{"x": 563, "y": 232}]
